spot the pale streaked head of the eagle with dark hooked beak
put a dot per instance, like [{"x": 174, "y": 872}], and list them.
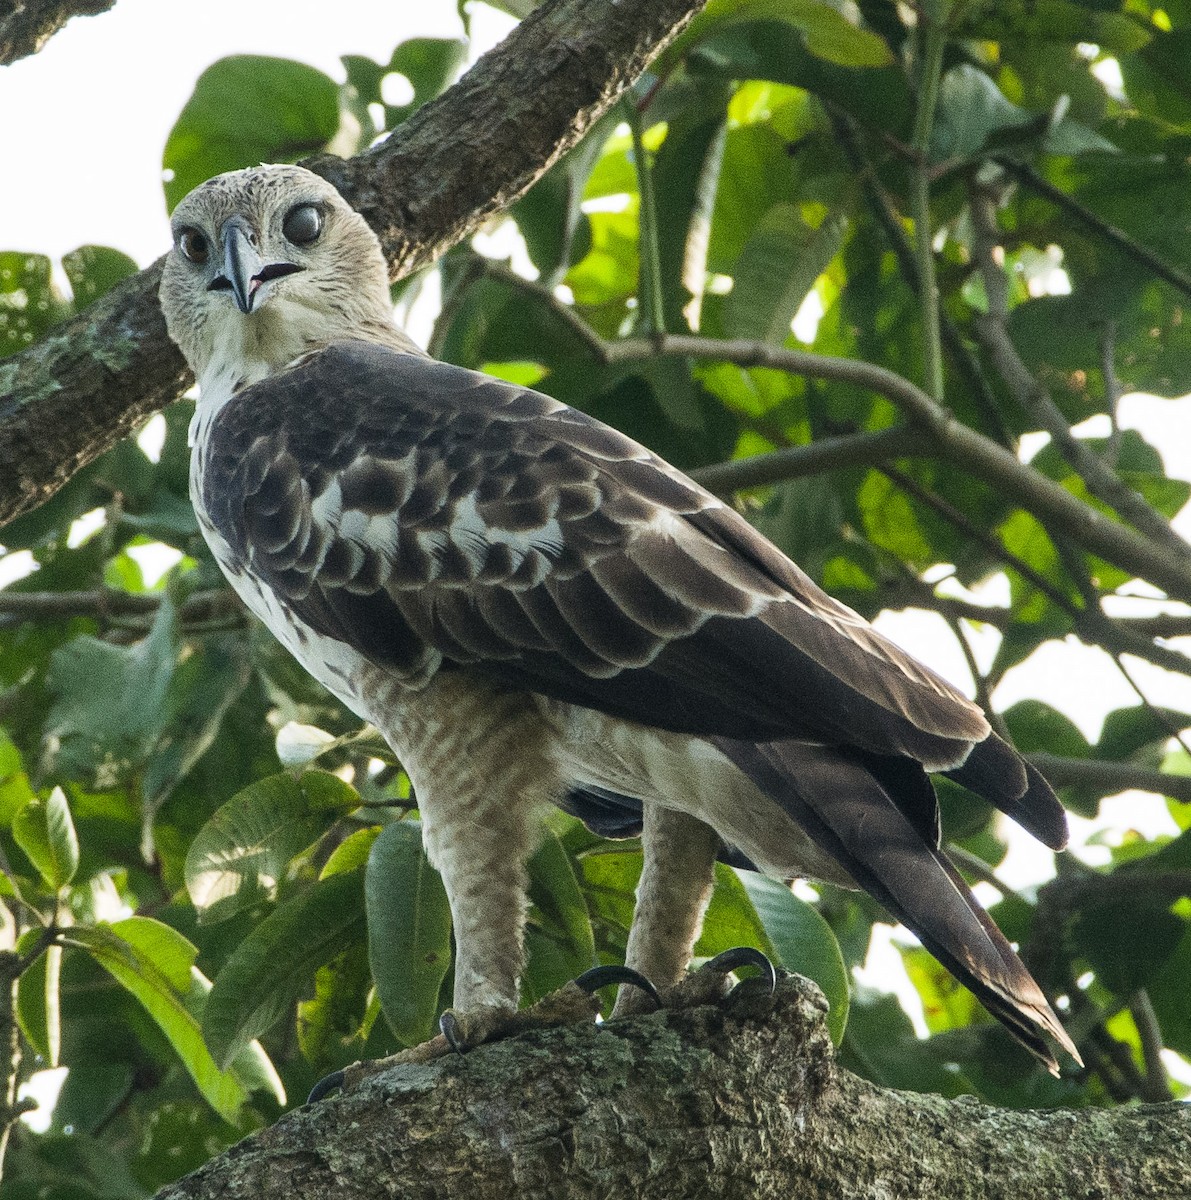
[{"x": 267, "y": 265}]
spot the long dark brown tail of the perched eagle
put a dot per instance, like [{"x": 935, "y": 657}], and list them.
[{"x": 861, "y": 811}]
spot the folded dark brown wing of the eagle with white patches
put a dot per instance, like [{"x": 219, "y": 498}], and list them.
[{"x": 426, "y": 514}]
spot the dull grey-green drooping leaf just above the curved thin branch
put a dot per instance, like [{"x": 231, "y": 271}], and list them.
[{"x": 777, "y": 268}]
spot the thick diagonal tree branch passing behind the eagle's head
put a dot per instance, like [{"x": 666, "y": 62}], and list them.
[{"x": 436, "y": 179}]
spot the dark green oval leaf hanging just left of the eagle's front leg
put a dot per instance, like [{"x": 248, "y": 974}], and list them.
[{"x": 409, "y": 932}]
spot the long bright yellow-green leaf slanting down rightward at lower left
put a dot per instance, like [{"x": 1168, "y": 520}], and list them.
[{"x": 154, "y": 963}]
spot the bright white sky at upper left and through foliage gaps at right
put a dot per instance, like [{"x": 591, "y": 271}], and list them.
[{"x": 82, "y": 130}]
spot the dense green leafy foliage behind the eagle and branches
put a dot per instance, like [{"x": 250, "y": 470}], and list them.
[{"x": 178, "y": 867}]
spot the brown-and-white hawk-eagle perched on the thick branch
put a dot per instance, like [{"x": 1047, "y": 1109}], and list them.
[{"x": 536, "y": 610}]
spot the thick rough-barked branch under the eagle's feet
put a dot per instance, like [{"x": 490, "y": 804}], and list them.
[{"x": 738, "y": 1100}]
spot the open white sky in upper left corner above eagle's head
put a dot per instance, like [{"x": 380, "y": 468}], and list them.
[{"x": 93, "y": 111}]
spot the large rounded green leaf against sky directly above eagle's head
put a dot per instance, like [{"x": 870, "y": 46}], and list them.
[{"x": 248, "y": 110}]
